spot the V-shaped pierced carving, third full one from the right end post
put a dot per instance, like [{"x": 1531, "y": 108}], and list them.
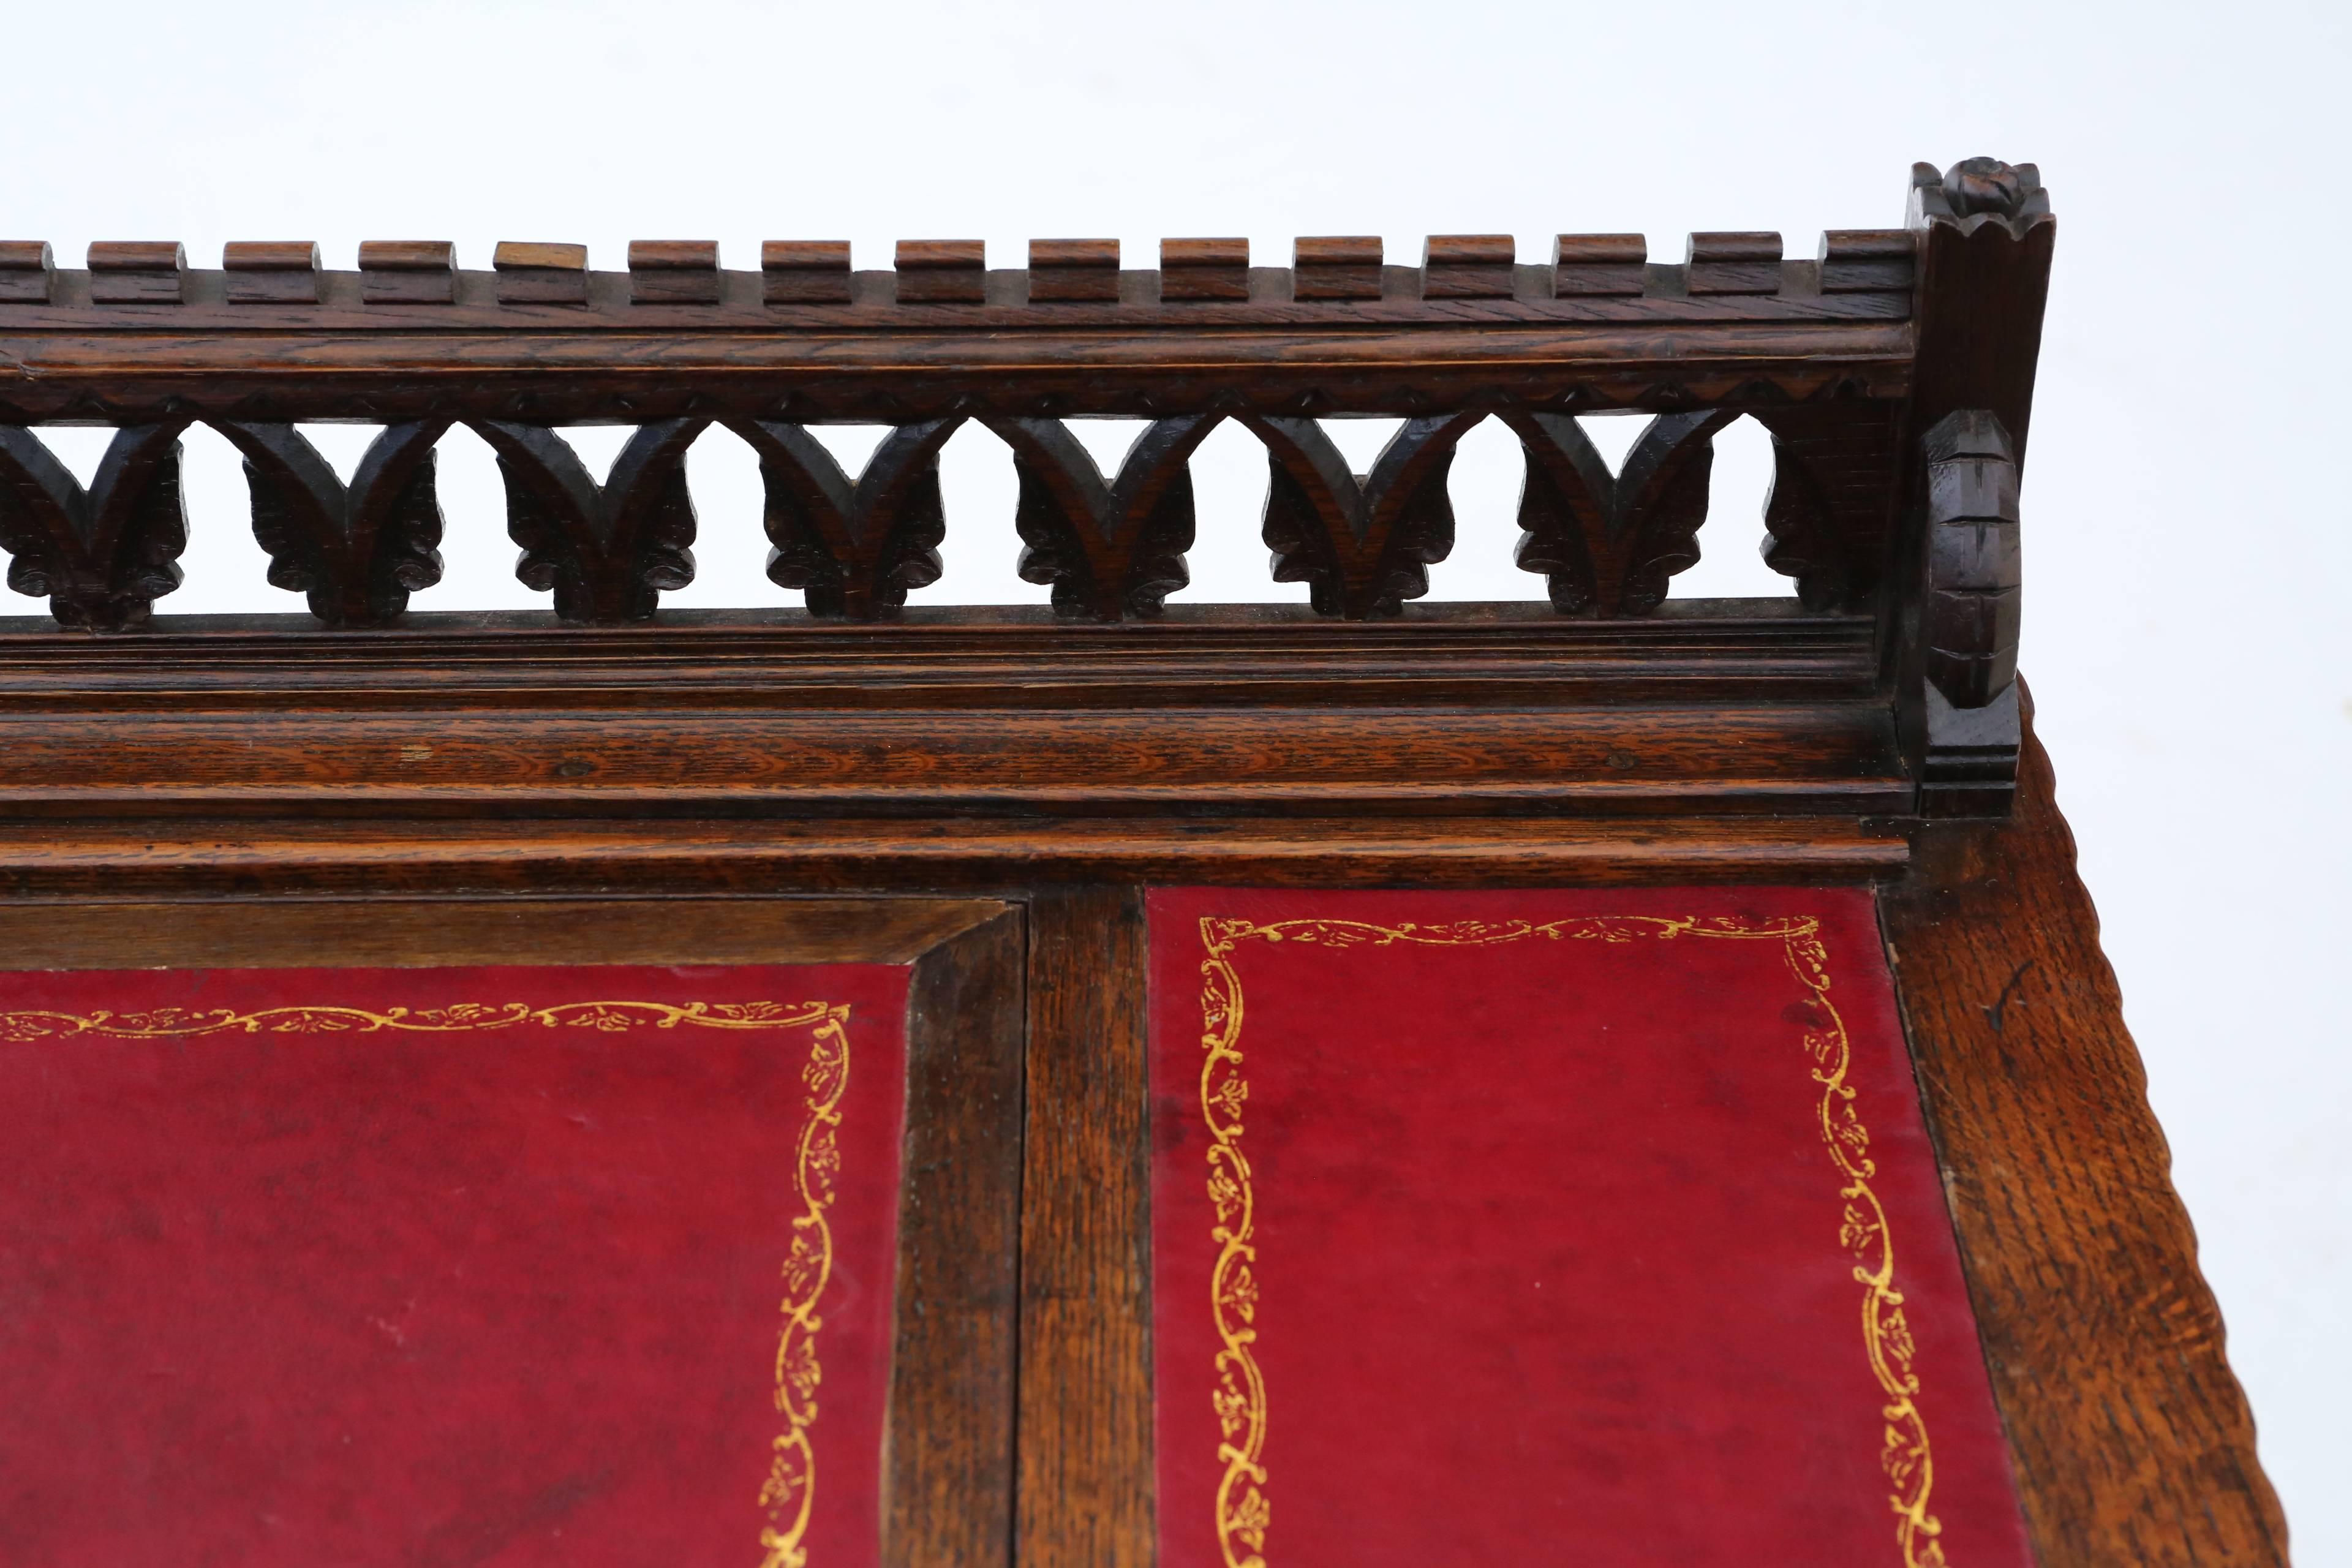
[{"x": 1109, "y": 549}]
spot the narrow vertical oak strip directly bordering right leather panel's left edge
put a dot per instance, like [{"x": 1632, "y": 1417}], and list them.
[{"x": 1085, "y": 1240}]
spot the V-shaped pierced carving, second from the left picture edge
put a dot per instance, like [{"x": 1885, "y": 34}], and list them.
[{"x": 356, "y": 551}]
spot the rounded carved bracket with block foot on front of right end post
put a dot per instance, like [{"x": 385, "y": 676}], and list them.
[{"x": 1970, "y": 622}]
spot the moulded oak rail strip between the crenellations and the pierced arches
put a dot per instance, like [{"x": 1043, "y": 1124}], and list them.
[{"x": 377, "y": 363}]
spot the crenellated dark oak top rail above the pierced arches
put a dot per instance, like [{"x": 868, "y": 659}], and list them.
[{"x": 566, "y": 344}]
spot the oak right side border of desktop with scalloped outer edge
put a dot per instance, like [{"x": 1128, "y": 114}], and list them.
[{"x": 2130, "y": 1433}]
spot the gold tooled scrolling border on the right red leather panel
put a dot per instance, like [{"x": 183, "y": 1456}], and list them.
[{"x": 1243, "y": 1508}]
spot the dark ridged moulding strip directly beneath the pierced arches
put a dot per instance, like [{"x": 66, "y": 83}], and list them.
[{"x": 996, "y": 657}]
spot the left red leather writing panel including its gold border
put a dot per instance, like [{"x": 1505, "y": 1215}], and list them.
[{"x": 448, "y": 1266}]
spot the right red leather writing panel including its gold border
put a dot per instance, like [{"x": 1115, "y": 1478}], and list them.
[{"x": 1553, "y": 1228}]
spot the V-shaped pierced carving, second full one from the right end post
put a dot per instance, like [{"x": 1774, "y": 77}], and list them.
[{"x": 1363, "y": 544}]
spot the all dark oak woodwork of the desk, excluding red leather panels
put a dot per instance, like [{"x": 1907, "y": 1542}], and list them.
[{"x": 620, "y": 782}]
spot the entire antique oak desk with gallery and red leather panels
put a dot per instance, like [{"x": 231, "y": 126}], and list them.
[{"x": 1589, "y": 1080}]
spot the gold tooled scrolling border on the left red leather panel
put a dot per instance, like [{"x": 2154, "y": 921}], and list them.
[{"x": 789, "y": 1492}]
